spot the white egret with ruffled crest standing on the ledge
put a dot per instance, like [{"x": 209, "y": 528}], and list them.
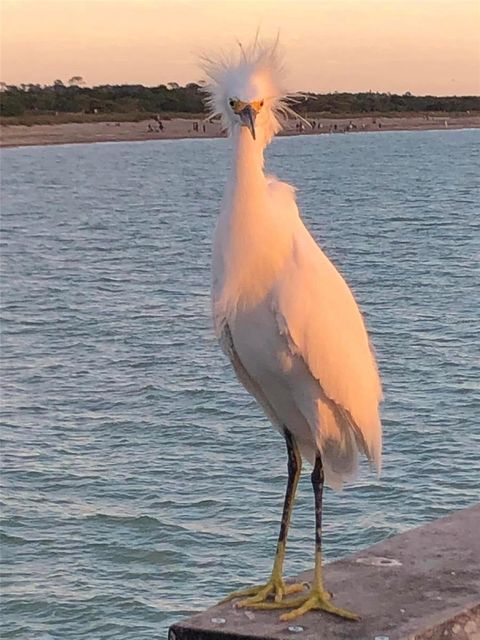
[{"x": 285, "y": 317}]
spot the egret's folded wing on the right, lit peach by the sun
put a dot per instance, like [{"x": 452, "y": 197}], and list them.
[{"x": 318, "y": 315}]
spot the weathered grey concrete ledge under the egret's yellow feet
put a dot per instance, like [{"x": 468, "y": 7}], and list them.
[{"x": 420, "y": 585}]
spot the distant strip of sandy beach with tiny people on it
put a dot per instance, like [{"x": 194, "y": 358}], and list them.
[{"x": 18, "y": 135}]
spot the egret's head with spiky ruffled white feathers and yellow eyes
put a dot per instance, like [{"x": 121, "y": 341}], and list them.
[{"x": 246, "y": 90}]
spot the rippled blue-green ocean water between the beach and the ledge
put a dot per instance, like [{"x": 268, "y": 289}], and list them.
[{"x": 140, "y": 482}]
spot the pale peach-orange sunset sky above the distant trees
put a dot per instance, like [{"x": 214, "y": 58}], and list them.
[{"x": 421, "y": 46}]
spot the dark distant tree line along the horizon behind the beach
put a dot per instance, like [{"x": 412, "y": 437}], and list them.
[{"x": 75, "y": 97}]
